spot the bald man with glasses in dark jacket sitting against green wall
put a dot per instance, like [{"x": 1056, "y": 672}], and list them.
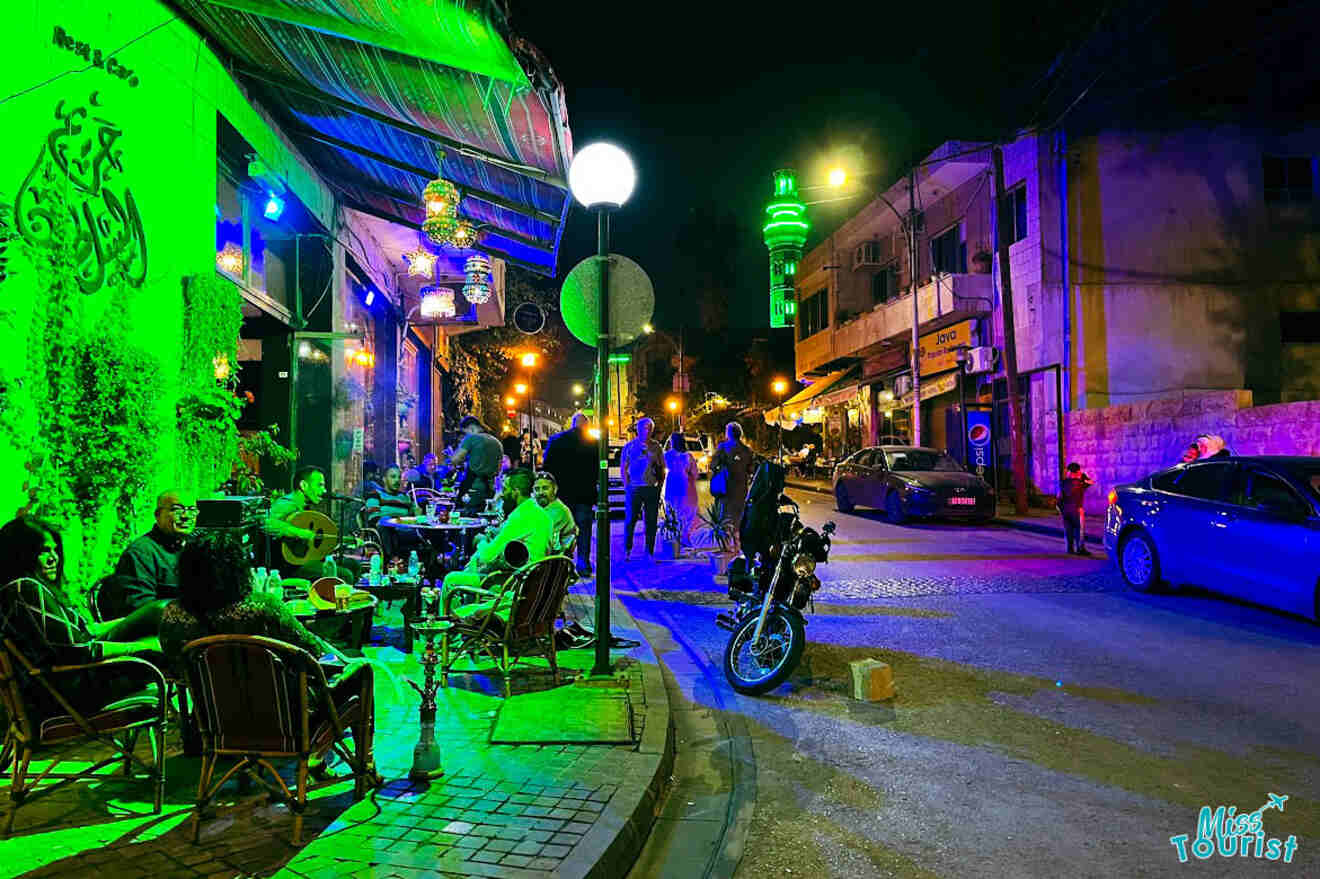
[{"x": 148, "y": 571}]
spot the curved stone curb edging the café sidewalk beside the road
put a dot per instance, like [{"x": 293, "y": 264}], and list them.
[{"x": 616, "y": 840}]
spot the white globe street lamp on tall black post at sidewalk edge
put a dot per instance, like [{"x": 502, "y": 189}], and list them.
[{"x": 603, "y": 179}]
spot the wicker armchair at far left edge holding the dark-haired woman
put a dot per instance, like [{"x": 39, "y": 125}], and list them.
[{"x": 117, "y": 724}]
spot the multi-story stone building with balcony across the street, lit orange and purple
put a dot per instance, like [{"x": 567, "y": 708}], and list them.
[{"x": 1145, "y": 265}]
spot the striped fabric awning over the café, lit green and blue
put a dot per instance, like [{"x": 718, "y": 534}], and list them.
[{"x": 385, "y": 97}]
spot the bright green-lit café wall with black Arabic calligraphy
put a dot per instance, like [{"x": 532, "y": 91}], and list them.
[{"x": 129, "y": 139}]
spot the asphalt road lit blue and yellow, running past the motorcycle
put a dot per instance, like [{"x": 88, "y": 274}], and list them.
[{"x": 1049, "y": 721}]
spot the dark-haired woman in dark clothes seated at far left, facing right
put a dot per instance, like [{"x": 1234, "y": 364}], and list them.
[{"x": 39, "y": 618}]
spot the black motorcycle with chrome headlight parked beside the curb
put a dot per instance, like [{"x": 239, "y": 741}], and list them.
[{"x": 772, "y": 583}]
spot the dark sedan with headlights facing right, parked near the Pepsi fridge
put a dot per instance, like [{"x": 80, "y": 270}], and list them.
[{"x": 910, "y": 481}]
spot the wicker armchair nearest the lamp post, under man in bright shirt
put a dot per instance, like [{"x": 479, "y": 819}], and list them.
[{"x": 539, "y": 591}]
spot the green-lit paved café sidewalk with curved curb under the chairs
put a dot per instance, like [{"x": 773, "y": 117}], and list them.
[{"x": 521, "y": 811}]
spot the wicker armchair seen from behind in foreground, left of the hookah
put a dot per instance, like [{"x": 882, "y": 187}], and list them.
[{"x": 261, "y": 700}]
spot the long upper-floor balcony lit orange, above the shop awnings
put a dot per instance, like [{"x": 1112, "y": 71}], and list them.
[{"x": 940, "y": 303}]
